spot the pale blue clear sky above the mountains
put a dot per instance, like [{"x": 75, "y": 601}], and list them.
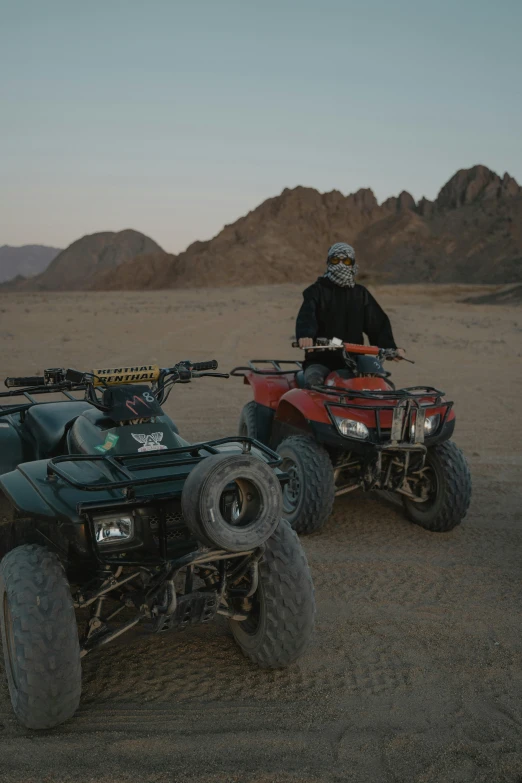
[{"x": 175, "y": 118}]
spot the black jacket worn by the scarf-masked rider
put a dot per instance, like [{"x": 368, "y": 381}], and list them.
[{"x": 329, "y": 310}]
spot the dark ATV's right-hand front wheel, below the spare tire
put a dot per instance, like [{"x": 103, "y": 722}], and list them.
[{"x": 281, "y": 621}]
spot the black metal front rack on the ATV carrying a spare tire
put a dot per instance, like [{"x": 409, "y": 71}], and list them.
[{"x": 124, "y": 464}]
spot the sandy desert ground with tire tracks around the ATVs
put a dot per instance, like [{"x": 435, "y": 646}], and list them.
[{"x": 414, "y": 673}]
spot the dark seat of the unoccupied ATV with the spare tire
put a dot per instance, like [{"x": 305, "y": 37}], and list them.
[{"x": 47, "y": 423}]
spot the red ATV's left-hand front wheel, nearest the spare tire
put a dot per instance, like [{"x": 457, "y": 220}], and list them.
[{"x": 309, "y": 495}]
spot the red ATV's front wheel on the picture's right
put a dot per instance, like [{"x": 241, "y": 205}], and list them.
[{"x": 448, "y": 474}]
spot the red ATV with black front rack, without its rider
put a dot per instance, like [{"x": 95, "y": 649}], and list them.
[{"x": 357, "y": 431}]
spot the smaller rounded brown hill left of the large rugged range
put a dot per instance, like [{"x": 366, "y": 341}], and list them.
[{"x": 90, "y": 257}]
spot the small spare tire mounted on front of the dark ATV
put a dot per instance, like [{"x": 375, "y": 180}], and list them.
[{"x": 232, "y": 502}]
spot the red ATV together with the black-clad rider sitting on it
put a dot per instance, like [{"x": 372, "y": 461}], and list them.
[{"x": 341, "y": 425}]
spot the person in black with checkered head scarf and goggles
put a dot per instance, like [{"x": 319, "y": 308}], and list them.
[{"x": 336, "y": 306}]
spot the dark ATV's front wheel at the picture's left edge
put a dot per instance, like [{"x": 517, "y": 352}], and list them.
[{"x": 39, "y": 637}]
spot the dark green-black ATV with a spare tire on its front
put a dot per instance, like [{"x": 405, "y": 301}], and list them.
[{"x": 105, "y": 509}]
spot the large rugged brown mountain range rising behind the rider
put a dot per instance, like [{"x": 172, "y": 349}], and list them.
[{"x": 472, "y": 232}]
